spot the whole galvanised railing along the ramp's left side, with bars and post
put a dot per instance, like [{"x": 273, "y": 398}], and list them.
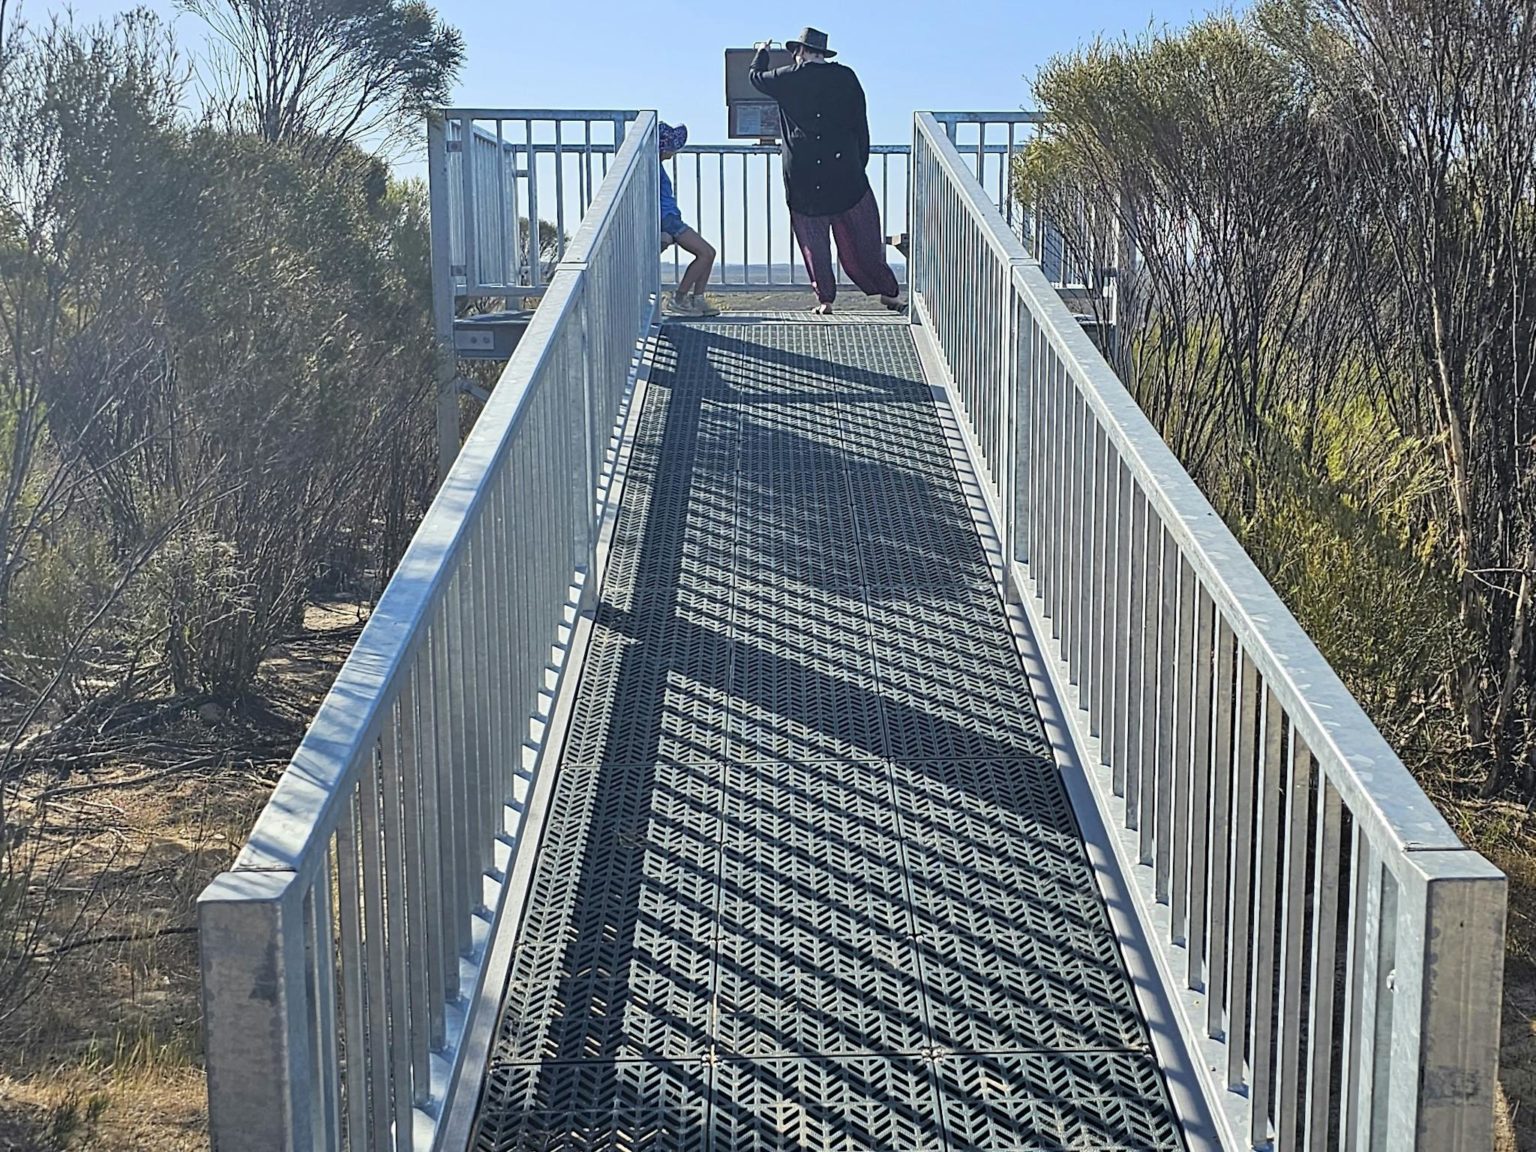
[{"x": 346, "y": 948}]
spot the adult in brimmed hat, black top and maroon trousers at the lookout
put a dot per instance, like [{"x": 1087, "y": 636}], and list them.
[{"x": 824, "y": 133}]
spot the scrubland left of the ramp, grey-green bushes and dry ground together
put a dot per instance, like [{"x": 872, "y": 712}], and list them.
[{"x": 216, "y": 419}]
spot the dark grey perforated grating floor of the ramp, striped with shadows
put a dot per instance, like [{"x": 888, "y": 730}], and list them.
[{"x": 810, "y": 878}]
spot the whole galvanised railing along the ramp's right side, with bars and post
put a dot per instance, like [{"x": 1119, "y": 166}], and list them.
[{"x": 1331, "y": 950}]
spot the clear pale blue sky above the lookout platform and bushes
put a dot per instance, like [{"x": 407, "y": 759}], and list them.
[{"x": 669, "y": 55}]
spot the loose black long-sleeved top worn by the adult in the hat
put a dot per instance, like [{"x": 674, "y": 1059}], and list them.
[{"x": 824, "y": 134}]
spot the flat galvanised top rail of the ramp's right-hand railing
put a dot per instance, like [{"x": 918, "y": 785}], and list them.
[{"x": 1368, "y": 773}]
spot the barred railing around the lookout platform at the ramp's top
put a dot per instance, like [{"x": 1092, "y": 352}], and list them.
[{"x": 498, "y": 170}]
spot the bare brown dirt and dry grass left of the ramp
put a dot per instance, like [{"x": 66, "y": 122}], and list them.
[{"x": 110, "y": 1058}]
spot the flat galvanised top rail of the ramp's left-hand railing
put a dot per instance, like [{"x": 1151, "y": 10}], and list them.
[{"x": 303, "y": 810}]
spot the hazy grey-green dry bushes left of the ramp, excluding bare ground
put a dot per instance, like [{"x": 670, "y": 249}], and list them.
[{"x": 216, "y": 376}]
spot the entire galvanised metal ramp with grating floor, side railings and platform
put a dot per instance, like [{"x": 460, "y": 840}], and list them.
[{"x": 829, "y": 733}]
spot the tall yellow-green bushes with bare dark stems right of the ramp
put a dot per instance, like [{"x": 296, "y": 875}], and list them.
[{"x": 1325, "y": 305}]
